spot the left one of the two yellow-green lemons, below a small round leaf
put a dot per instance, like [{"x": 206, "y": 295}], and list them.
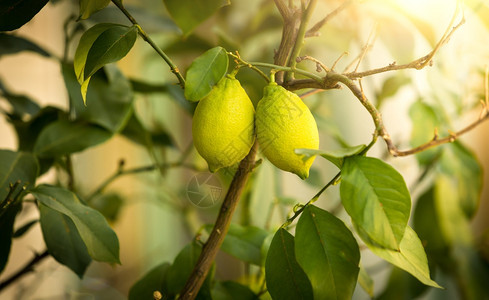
[{"x": 223, "y": 124}]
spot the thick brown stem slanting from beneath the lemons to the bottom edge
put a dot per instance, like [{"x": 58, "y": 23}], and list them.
[{"x": 211, "y": 247}]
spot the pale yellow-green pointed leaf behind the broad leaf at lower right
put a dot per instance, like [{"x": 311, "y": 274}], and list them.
[{"x": 410, "y": 257}]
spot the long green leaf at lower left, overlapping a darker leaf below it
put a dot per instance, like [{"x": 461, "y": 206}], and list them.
[{"x": 101, "y": 241}]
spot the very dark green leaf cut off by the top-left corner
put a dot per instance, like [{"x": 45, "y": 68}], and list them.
[{"x": 15, "y": 13}]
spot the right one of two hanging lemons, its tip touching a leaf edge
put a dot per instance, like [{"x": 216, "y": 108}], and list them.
[{"x": 284, "y": 123}]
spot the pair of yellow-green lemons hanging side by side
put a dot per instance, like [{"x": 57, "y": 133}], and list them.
[{"x": 224, "y": 124}]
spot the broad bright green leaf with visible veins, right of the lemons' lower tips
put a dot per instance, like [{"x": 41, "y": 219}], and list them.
[{"x": 376, "y": 197}]
